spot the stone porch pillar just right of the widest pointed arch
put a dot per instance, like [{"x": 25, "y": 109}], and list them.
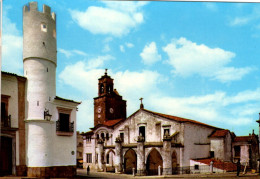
[{"x": 167, "y": 157}]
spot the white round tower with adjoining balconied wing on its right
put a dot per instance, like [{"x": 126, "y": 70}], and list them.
[{"x": 51, "y": 143}]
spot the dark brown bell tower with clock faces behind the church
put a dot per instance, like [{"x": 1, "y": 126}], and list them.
[{"x": 109, "y": 105}]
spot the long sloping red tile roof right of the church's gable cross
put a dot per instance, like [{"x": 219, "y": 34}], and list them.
[{"x": 179, "y": 119}]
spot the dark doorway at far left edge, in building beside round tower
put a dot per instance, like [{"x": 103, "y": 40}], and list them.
[{"x": 6, "y": 156}]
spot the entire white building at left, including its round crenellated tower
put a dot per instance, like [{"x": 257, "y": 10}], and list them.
[{"x": 38, "y": 128}]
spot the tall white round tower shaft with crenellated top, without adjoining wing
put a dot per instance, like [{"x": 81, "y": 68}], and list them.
[{"x": 39, "y": 59}]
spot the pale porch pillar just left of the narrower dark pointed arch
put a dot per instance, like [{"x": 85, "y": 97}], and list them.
[{"x": 118, "y": 155}]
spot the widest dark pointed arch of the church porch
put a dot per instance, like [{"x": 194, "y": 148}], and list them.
[{"x": 153, "y": 161}]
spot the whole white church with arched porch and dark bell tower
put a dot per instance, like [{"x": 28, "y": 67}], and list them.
[{"x": 149, "y": 143}]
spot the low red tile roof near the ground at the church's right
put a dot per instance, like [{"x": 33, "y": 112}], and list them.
[{"x": 227, "y": 166}]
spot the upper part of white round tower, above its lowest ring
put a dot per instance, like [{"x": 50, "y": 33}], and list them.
[{"x": 39, "y": 58}]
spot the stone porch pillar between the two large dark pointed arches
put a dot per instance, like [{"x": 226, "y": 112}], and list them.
[{"x": 140, "y": 156}]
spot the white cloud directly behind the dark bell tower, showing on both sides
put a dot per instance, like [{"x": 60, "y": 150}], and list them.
[{"x": 131, "y": 85}]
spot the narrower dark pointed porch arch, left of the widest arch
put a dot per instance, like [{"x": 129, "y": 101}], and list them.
[{"x": 130, "y": 161}]
